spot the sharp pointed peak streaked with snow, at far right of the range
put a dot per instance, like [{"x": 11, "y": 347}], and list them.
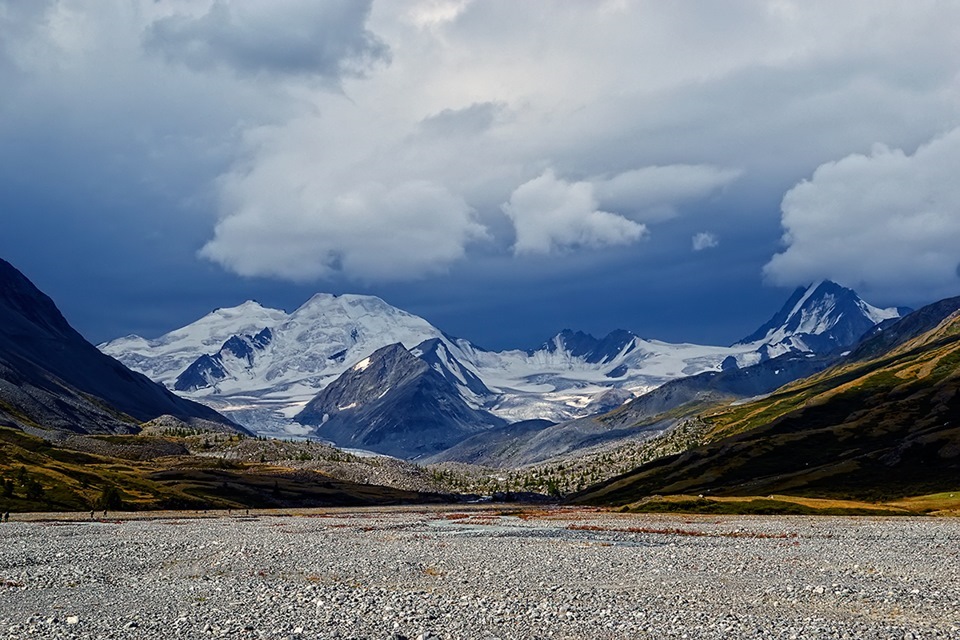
[{"x": 821, "y": 318}]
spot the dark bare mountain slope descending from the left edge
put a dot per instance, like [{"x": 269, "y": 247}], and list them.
[{"x": 52, "y": 378}]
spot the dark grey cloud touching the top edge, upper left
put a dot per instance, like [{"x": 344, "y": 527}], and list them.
[{"x": 293, "y": 38}]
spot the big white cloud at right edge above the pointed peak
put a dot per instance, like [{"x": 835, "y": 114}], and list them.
[{"x": 886, "y": 223}]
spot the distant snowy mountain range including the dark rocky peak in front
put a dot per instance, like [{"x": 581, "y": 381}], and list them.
[{"x": 296, "y": 373}]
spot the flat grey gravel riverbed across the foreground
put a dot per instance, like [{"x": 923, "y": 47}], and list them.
[{"x": 450, "y": 573}]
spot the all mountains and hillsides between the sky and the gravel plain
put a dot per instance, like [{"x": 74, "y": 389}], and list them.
[{"x": 800, "y": 407}]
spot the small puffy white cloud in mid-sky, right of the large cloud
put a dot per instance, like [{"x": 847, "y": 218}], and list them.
[{"x": 550, "y": 215}]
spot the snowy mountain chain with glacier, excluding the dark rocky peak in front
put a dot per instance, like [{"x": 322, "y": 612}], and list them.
[{"x": 262, "y": 366}]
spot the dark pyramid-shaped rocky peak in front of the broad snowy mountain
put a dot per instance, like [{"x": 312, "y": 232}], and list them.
[{"x": 396, "y": 403}]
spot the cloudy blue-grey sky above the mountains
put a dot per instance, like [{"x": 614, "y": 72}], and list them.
[{"x": 504, "y": 169}]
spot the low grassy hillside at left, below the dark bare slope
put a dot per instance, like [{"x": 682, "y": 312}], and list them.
[{"x": 166, "y": 472}]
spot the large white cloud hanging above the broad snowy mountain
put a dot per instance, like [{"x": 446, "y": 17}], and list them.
[{"x": 280, "y": 218}]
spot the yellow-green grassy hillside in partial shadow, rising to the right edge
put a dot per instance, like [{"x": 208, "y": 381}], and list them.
[{"x": 875, "y": 430}]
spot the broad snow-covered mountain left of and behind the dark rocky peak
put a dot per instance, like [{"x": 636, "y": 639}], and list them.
[{"x": 261, "y": 365}]
